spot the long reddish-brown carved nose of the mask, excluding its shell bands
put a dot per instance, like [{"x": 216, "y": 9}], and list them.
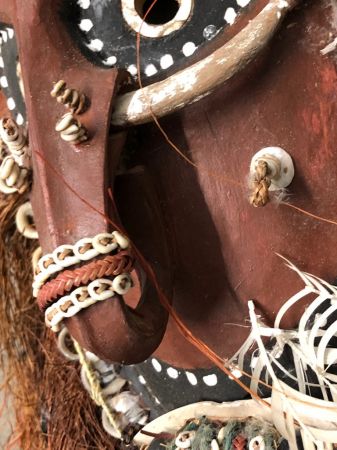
[{"x": 70, "y": 187}]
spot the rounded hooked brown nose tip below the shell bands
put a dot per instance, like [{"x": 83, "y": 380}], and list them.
[{"x": 126, "y": 336}]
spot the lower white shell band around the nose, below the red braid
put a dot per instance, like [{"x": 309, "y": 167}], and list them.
[{"x": 98, "y": 290}]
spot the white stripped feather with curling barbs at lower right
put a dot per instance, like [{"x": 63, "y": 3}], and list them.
[{"x": 295, "y": 412}]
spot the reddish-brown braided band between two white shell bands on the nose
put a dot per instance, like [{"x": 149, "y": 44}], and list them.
[{"x": 111, "y": 265}]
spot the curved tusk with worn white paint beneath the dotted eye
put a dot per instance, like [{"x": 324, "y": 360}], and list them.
[{"x": 200, "y": 79}]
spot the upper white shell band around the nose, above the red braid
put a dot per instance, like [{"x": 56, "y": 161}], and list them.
[{"x": 98, "y": 244}]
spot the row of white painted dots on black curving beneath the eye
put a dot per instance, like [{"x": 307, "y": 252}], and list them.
[{"x": 166, "y": 61}]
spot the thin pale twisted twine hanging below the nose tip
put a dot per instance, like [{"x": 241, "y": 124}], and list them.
[{"x": 95, "y": 388}]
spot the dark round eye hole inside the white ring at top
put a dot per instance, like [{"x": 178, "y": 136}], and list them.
[{"x": 162, "y": 12}]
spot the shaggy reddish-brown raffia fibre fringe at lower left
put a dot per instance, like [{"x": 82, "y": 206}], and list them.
[{"x": 37, "y": 378}]
